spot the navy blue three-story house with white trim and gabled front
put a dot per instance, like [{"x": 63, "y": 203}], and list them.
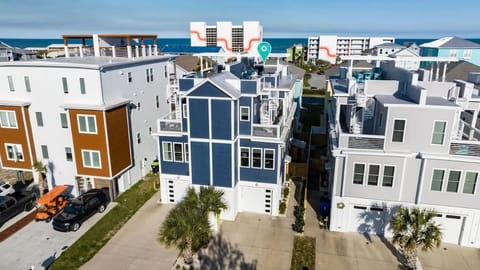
[{"x": 230, "y": 130}]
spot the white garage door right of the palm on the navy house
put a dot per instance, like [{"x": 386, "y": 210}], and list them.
[{"x": 257, "y": 200}]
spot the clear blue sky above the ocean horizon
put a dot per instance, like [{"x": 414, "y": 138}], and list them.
[{"x": 280, "y": 18}]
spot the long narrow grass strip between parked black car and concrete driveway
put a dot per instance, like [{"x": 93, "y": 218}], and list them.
[{"x": 94, "y": 239}]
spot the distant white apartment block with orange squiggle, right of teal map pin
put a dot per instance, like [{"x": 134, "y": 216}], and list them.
[{"x": 329, "y": 47}]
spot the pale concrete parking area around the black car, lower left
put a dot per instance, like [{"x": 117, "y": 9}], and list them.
[{"x": 37, "y": 244}]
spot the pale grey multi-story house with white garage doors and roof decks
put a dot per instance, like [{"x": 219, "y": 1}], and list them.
[{"x": 403, "y": 141}]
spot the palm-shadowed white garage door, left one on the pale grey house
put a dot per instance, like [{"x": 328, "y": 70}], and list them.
[{"x": 365, "y": 219}]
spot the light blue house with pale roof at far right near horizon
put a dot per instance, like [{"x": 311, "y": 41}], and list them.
[{"x": 452, "y": 47}]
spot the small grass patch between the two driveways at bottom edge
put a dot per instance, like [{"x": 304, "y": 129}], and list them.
[{"x": 303, "y": 256}]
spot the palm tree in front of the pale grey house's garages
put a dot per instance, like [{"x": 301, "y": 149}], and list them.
[{"x": 415, "y": 229}]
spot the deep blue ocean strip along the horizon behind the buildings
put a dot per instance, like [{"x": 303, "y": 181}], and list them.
[{"x": 279, "y": 45}]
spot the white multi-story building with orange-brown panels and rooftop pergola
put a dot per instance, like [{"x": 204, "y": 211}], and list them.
[{"x": 88, "y": 118}]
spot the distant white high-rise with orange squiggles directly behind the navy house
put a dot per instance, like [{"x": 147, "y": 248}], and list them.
[{"x": 232, "y": 38}]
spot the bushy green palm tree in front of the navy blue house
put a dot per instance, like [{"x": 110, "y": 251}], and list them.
[{"x": 186, "y": 226}]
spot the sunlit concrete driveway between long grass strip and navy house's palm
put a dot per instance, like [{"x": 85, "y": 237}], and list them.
[{"x": 135, "y": 246}]
